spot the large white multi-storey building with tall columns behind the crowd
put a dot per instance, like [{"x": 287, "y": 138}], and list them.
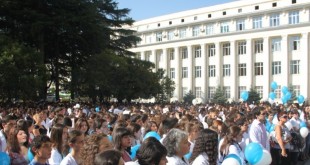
[{"x": 236, "y": 45}]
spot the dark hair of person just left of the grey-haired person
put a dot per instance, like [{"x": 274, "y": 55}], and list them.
[{"x": 151, "y": 151}]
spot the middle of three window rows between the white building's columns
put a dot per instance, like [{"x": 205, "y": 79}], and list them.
[{"x": 242, "y": 69}]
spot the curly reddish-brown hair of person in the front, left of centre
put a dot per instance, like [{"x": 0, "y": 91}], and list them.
[{"x": 93, "y": 145}]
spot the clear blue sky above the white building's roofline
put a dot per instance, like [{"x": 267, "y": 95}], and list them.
[{"x": 143, "y": 9}]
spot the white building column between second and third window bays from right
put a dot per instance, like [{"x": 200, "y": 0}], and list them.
[{"x": 267, "y": 54}]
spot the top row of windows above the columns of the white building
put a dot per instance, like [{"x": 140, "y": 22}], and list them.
[{"x": 225, "y": 27}]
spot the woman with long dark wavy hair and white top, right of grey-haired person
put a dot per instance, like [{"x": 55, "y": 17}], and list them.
[{"x": 205, "y": 150}]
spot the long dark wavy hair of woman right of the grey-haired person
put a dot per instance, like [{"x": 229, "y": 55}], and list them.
[{"x": 207, "y": 141}]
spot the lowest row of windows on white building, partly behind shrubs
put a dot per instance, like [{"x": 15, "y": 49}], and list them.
[{"x": 259, "y": 89}]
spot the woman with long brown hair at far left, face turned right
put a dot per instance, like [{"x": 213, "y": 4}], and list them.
[{"x": 17, "y": 148}]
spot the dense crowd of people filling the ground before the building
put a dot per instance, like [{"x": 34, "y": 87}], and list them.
[{"x": 74, "y": 134}]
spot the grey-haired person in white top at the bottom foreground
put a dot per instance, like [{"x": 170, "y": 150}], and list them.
[{"x": 177, "y": 146}]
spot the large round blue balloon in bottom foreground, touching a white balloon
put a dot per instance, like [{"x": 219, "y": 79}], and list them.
[{"x": 253, "y": 153}]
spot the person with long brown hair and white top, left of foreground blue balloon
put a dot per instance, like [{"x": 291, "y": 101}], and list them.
[{"x": 230, "y": 144}]
